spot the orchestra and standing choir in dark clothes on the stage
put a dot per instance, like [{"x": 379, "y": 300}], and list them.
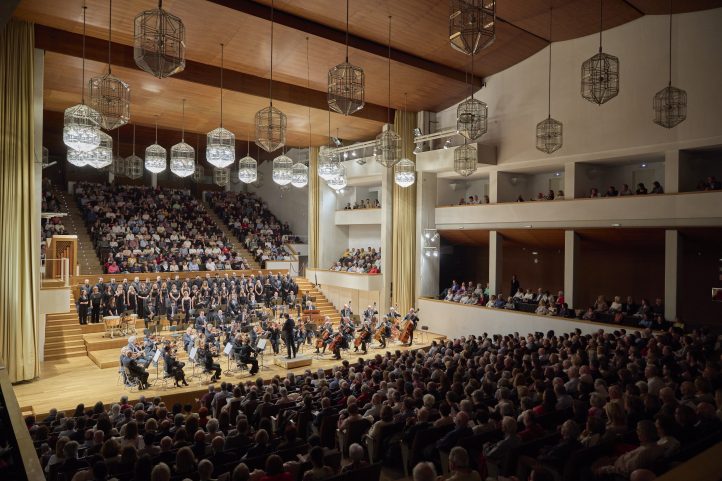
[{"x": 243, "y": 310}]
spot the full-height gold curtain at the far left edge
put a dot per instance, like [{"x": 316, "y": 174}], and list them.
[{"x": 20, "y": 264}]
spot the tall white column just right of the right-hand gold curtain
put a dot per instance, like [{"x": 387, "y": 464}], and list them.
[{"x": 426, "y": 266}]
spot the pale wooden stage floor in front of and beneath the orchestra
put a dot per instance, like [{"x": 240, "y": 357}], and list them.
[{"x": 64, "y": 384}]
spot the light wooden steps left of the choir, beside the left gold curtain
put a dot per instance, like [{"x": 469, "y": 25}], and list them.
[{"x": 63, "y": 335}]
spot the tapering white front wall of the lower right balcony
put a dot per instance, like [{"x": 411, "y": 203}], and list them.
[{"x": 455, "y": 320}]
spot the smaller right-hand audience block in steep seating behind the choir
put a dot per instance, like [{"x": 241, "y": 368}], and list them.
[{"x": 249, "y": 218}]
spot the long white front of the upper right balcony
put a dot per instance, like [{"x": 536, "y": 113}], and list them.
[{"x": 667, "y": 210}]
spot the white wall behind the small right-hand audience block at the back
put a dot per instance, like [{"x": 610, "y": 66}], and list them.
[{"x": 288, "y": 206}]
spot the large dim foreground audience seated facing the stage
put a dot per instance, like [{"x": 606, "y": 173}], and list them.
[{"x": 568, "y": 406}]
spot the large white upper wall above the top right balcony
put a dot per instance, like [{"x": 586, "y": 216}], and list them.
[{"x": 517, "y": 104}]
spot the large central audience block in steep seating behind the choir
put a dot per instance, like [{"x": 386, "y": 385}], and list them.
[{"x": 145, "y": 229}]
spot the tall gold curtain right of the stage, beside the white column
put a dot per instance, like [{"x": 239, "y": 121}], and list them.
[{"x": 404, "y": 224}]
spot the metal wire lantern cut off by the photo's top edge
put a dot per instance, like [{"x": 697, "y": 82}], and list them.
[{"x": 472, "y": 24}]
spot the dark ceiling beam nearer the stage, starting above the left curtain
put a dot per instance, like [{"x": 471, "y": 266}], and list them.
[{"x": 69, "y": 43}]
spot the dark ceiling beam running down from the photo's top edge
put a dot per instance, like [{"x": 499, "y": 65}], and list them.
[{"x": 339, "y": 36}]
